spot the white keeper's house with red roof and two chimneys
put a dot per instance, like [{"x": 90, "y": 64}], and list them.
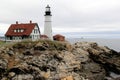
[{"x": 18, "y": 32}]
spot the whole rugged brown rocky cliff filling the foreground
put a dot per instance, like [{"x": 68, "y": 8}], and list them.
[{"x": 52, "y": 60}]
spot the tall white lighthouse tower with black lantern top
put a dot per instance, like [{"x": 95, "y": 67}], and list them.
[{"x": 48, "y": 23}]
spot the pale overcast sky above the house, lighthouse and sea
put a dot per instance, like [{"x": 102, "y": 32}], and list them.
[{"x": 69, "y": 16}]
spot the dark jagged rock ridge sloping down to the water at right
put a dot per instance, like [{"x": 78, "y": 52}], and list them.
[{"x": 109, "y": 58}]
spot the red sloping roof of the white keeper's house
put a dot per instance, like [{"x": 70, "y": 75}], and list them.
[{"x": 27, "y": 27}]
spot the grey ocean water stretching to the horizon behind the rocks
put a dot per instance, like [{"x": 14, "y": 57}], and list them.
[{"x": 111, "y": 43}]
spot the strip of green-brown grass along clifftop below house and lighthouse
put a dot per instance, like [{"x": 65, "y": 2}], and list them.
[{"x": 28, "y": 44}]
